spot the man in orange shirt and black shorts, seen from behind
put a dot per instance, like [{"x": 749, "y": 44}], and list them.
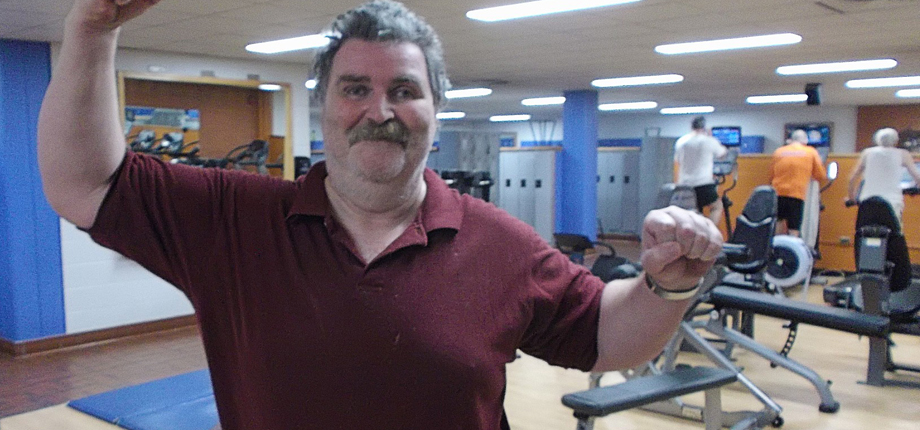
[{"x": 792, "y": 168}]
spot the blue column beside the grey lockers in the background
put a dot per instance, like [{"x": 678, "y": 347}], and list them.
[{"x": 576, "y": 184}]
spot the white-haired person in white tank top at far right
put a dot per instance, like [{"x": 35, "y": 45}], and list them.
[{"x": 880, "y": 169}]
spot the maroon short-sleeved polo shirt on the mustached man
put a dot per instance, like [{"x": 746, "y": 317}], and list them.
[{"x": 301, "y": 334}]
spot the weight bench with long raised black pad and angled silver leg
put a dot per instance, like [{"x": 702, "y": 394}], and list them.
[{"x": 723, "y": 297}]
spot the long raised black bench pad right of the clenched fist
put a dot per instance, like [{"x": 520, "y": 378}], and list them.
[{"x": 799, "y": 311}]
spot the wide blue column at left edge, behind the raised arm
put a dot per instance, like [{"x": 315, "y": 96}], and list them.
[{"x": 31, "y": 286}]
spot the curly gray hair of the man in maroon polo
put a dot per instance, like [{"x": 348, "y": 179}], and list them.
[{"x": 383, "y": 21}]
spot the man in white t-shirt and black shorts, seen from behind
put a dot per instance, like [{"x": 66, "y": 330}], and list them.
[{"x": 694, "y": 154}]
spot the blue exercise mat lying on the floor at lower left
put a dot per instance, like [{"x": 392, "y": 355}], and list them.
[{"x": 181, "y": 402}]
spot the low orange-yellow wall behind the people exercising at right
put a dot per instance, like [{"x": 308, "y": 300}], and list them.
[{"x": 837, "y": 221}]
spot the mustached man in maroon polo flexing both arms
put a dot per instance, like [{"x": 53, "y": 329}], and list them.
[{"x": 367, "y": 294}]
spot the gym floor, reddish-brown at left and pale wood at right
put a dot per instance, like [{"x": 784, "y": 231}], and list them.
[{"x": 43, "y": 382}]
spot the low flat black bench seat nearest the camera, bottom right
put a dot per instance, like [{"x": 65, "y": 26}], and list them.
[{"x": 602, "y": 401}]
